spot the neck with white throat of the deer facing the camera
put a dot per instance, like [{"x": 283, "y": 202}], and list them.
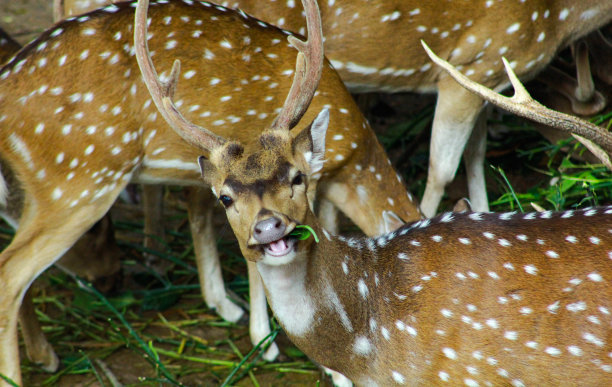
[{"x": 322, "y": 306}]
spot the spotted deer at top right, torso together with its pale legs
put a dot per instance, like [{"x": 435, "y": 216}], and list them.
[{"x": 375, "y": 45}]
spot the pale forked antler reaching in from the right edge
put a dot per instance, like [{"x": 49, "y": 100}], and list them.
[{"x": 592, "y": 136}]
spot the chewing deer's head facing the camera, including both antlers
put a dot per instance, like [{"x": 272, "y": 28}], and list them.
[{"x": 279, "y": 162}]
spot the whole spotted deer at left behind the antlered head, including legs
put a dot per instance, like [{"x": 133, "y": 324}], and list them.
[{"x": 78, "y": 125}]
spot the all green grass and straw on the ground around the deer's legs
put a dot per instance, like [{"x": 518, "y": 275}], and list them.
[{"x": 157, "y": 330}]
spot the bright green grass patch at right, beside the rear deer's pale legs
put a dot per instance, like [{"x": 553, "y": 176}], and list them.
[{"x": 555, "y": 181}]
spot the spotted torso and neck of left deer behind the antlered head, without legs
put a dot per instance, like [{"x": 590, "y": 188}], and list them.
[{"x": 86, "y": 119}]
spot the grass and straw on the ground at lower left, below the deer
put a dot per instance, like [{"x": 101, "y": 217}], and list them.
[{"x": 159, "y": 324}]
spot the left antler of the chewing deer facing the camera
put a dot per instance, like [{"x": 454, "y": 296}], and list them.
[{"x": 163, "y": 92}]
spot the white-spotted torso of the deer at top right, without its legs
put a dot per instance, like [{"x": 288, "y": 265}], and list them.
[{"x": 473, "y": 35}]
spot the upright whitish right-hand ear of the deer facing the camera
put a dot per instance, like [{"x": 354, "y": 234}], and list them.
[{"x": 311, "y": 142}]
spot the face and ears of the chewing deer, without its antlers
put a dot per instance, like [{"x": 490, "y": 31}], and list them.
[{"x": 264, "y": 190}]
